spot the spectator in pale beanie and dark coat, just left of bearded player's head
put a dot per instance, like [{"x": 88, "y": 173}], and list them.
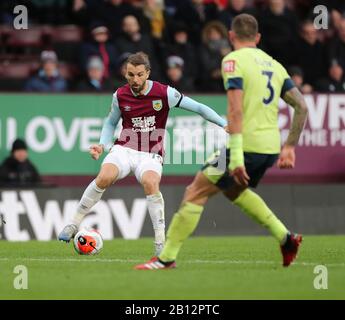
[{"x": 95, "y": 82}]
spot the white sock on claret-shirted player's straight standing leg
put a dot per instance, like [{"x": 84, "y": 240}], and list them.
[{"x": 155, "y": 204}]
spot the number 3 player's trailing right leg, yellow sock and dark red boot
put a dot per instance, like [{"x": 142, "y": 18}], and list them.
[{"x": 255, "y": 207}]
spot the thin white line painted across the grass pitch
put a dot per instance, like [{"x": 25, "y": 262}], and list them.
[{"x": 92, "y": 260}]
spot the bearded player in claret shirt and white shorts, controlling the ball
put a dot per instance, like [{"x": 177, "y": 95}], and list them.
[{"x": 144, "y": 107}]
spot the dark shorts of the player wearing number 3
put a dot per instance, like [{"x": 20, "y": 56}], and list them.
[{"x": 216, "y": 167}]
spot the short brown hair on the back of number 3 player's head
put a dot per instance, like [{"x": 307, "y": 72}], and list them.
[{"x": 245, "y": 27}]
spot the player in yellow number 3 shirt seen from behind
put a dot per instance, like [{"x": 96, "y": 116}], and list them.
[{"x": 254, "y": 82}]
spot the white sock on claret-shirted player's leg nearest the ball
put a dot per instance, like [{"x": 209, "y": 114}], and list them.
[{"x": 91, "y": 196}]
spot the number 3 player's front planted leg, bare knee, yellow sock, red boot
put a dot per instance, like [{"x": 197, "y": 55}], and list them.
[{"x": 183, "y": 223}]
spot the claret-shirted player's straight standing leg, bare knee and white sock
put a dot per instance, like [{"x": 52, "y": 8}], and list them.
[{"x": 155, "y": 203}]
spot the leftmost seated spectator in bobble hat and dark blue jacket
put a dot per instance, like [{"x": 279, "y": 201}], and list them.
[{"x": 48, "y": 78}]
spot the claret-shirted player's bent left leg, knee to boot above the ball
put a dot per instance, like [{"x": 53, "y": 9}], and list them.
[{"x": 92, "y": 194}]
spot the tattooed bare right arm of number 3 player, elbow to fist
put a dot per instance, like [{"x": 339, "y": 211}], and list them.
[{"x": 294, "y": 98}]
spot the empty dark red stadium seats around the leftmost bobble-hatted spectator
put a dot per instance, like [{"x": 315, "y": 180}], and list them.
[{"x": 20, "y": 52}]
